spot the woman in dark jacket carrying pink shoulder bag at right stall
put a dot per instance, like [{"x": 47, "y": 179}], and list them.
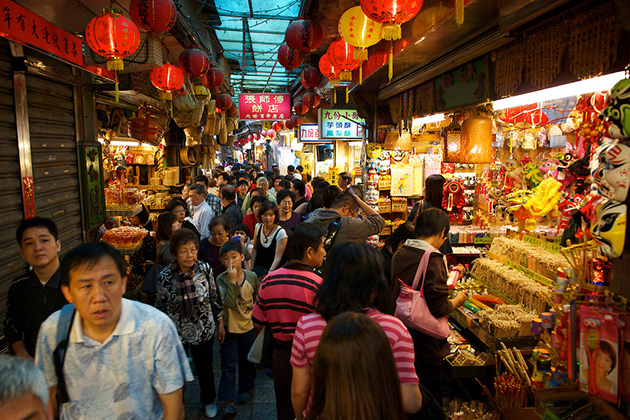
[{"x": 425, "y": 313}]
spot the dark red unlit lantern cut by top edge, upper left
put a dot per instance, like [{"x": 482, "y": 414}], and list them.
[{"x": 155, "y": 16}]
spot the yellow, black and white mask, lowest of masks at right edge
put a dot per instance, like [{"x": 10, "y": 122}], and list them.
[{"x": 610, "y": 229}]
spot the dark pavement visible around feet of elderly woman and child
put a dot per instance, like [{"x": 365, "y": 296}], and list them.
[{"x": 263, "y": 407}]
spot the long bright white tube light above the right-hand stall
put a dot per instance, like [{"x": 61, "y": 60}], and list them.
[{"x": 595, "y": 84}]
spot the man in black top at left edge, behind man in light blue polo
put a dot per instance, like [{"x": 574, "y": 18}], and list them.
[{"x": 36, "y": 294}]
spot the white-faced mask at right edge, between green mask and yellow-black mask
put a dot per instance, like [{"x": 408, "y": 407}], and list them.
[{"x": 613, "y": 173}]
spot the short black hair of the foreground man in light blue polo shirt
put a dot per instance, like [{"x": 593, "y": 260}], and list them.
[{"x": 90, "y": 254}]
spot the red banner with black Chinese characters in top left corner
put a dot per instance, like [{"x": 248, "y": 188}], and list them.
[{"x": 21, "y": 25}]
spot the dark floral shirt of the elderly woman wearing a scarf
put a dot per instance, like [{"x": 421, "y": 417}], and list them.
[{"x": 202, "y": 328}]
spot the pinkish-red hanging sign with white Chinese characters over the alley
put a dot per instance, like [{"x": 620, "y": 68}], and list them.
[{"x": 264, "y": 106}]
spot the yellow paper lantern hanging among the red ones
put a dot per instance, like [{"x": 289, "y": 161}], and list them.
[{"x": 359, "y": 31}]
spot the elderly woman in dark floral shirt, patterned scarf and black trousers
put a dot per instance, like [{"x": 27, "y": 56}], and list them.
[{"x": 186, "y": 291}]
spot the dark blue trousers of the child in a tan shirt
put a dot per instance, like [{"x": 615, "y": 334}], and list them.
[{"x": 234, "y": 351}]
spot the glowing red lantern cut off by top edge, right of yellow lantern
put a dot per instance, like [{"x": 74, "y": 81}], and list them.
[{"x": 391, "y": 14}]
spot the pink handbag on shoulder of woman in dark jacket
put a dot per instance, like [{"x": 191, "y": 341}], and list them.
[{"x": 412, "y": 309}]
